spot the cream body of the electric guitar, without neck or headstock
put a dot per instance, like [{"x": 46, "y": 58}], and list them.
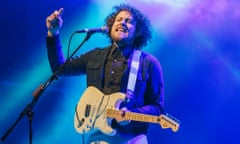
[{"x": 90, "y": 112}]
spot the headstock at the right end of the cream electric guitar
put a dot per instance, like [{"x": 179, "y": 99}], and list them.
[{"x": 168, "y": 121}]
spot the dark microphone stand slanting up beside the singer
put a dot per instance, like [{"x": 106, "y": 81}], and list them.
[{"x": 28, "y": 110}]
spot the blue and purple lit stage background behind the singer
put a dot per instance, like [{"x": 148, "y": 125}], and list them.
[{"x": 197, "y": 43}]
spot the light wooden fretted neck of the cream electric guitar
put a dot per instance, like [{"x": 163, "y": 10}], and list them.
[{"x": 111, "y": 113}]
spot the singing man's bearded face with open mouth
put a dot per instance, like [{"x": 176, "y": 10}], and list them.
[{"x": 123, "y": 29}]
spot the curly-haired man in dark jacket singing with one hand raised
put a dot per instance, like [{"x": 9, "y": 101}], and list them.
[{"x": 108, "y": 70}]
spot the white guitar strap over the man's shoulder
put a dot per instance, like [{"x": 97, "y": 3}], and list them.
[{"x": 133, "y": 73}]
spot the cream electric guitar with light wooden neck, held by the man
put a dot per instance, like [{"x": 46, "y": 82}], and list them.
[{"x": 95, "y": 111}]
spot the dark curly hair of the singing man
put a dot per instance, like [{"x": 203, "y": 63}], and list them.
[{"x": 143, "y": 27}]
